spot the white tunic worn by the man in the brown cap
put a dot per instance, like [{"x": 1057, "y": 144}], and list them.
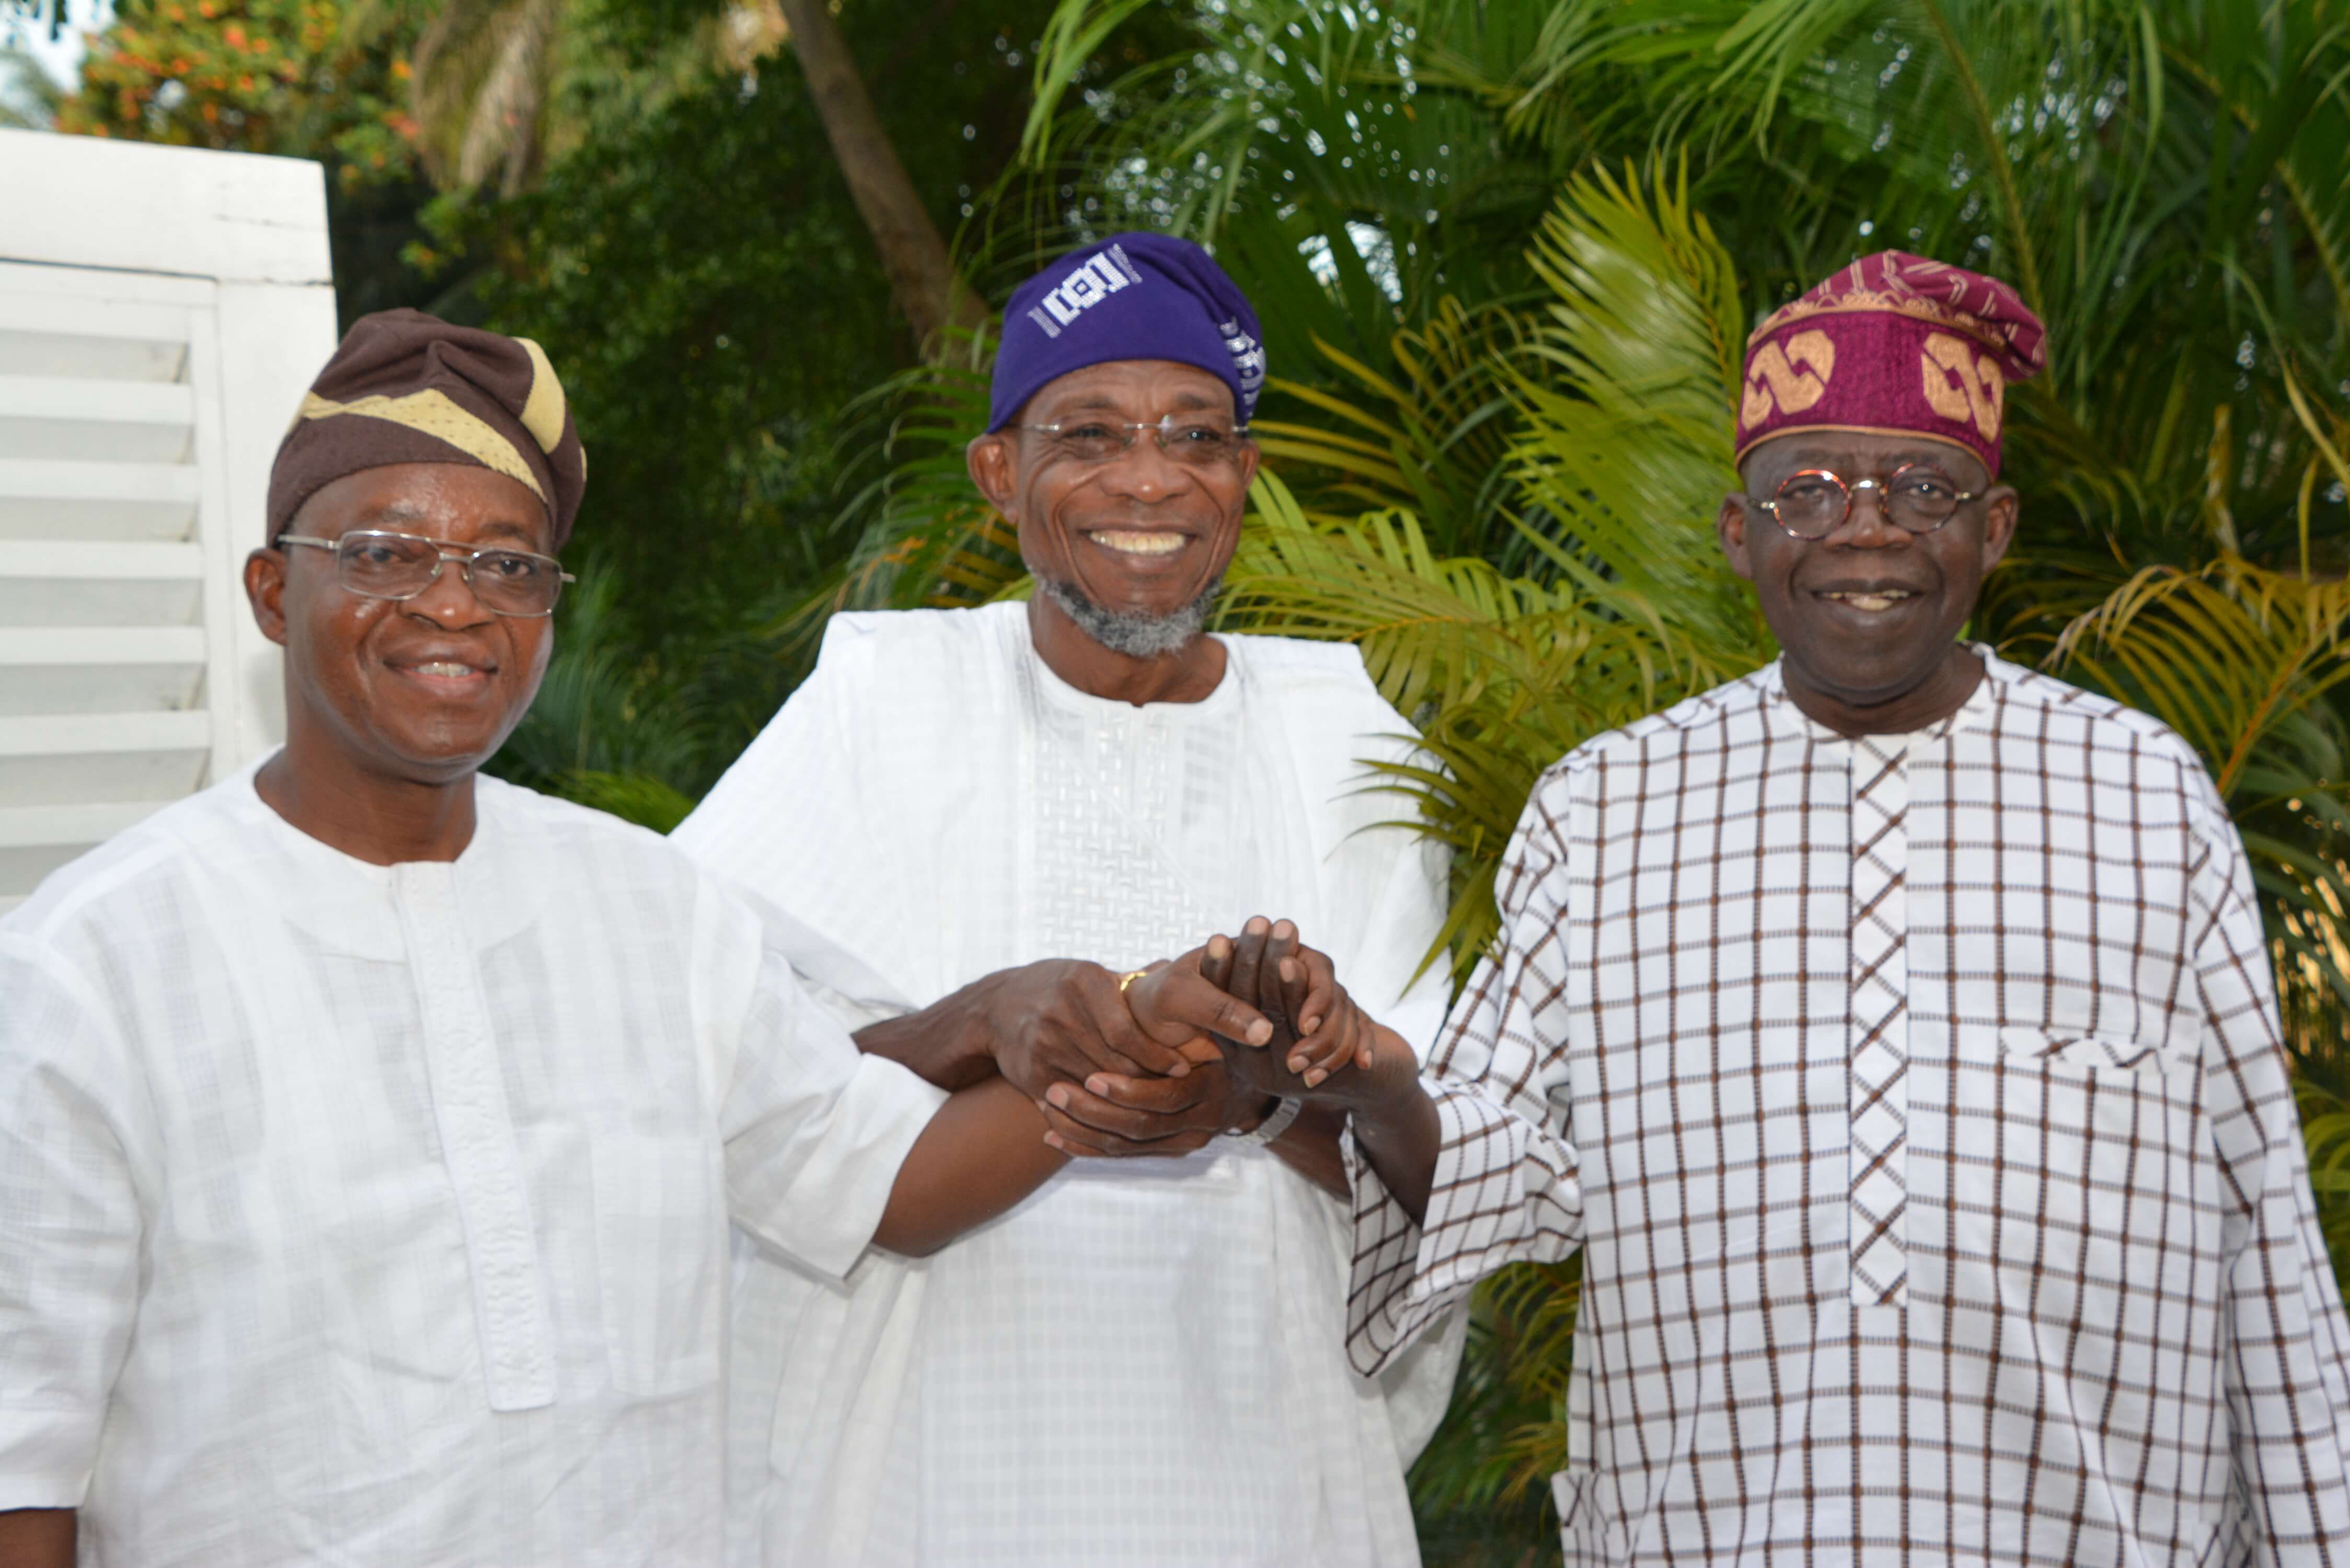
[{"x": 382, "y": 1214}]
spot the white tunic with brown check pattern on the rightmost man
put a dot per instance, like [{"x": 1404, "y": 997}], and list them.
[{"x": 2116, "y": 1334}]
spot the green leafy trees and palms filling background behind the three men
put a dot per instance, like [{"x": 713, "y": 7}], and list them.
[{"x": 1508, "y": 255}]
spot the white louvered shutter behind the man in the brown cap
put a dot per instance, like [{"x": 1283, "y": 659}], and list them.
[{"x": 161, "y": 314}]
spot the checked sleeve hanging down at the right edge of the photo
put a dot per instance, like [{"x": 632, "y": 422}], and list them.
[{"x": 2288, "y": 1367}]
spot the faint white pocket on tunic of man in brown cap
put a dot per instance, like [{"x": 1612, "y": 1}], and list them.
[{"x": 662, "y": 1259}]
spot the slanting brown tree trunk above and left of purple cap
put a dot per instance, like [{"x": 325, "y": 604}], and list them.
[{"x": 915, "y": 260}]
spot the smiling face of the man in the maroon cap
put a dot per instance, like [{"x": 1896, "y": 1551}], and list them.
[{"x": 1869, "y": 617}]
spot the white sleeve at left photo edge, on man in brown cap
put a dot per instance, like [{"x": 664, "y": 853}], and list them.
[{"x": 69, "y": 1233}]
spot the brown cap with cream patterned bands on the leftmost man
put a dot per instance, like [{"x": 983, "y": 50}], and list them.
[{"x": 412, "y": 389}]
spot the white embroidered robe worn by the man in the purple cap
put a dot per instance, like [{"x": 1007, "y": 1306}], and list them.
[{"x": 1146, "y": 1362}]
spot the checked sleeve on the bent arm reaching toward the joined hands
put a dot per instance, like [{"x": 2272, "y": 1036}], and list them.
[{"x": 1505, "y": 1172}]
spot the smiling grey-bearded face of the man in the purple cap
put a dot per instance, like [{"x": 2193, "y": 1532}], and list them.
[{"x": 1141, "y": 535}]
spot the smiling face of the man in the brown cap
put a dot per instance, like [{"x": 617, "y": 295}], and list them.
[{"x": 419, "y": 690}]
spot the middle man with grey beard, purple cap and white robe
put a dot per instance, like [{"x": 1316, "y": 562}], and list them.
[{"x": 993, "y": 817}]
